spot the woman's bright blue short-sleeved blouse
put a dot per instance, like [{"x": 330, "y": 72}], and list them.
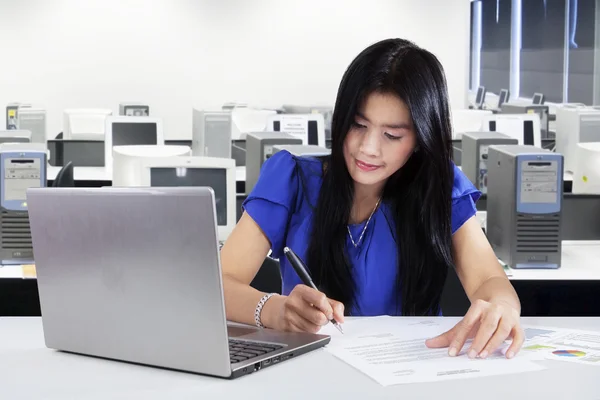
[{"x": 280, "y": 203}]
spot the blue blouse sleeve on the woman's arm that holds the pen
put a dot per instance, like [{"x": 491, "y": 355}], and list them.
[{"x": 273, "y": 199}]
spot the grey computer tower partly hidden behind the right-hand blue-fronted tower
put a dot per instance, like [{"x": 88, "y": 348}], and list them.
[{"x": 475, "y": 147}]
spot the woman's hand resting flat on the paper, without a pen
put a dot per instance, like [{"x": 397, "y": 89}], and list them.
[{"x": 490, "y": 324}]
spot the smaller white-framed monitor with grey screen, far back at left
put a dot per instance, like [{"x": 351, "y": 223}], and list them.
[{"x": 128, "y": 131}]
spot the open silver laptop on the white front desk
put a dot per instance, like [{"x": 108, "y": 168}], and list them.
[{"x": 134, "y": 274}]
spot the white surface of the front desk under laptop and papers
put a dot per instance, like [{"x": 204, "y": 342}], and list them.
[{"x": 30, "y": 370}]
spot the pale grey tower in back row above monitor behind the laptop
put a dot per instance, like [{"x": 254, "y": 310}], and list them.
[{"x": 211, "y": 133}]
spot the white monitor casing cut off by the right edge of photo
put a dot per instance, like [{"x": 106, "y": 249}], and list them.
[{"x": 586, "y": 174}]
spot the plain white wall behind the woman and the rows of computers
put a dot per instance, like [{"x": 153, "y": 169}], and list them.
[{"x": 176, "y": 54}]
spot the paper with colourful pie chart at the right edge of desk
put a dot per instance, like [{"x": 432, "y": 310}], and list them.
[{"x": 569, "y": 345}]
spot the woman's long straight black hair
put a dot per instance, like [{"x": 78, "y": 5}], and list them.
[{"x": 418, "y": 194}]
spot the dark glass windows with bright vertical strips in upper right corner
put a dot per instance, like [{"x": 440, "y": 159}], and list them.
[{"x": 543, "y": 46}]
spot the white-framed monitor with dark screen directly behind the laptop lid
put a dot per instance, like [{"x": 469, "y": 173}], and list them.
[{"x": 215, "y": 172}]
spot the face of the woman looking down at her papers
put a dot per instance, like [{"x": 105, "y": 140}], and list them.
[{"x": 380, "y": 140}]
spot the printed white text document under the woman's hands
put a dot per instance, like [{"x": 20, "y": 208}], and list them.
[{"x": 392, "y": 350}]
